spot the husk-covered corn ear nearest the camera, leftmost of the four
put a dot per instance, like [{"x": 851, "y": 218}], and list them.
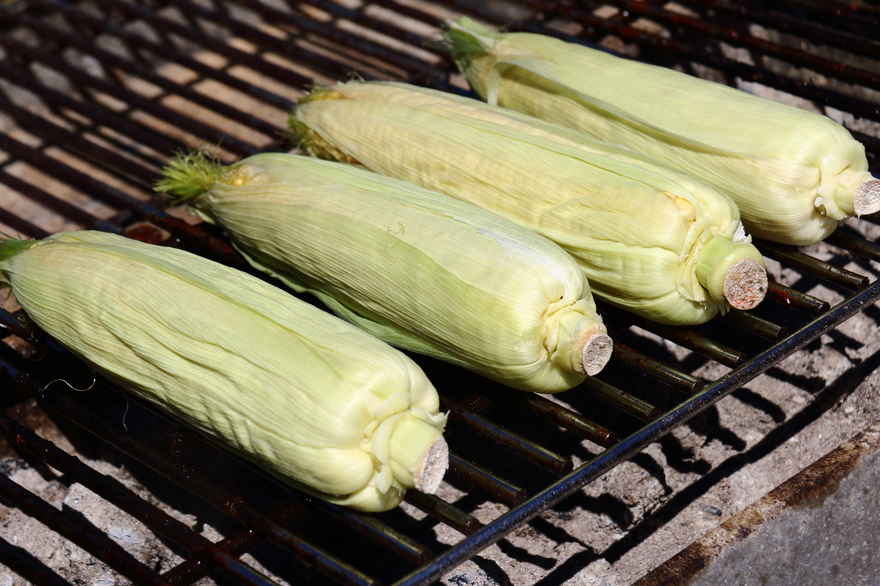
[{"x": 312, "y": 399}]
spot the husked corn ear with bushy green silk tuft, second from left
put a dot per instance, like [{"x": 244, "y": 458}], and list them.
[{"x": 416, "y": 268}]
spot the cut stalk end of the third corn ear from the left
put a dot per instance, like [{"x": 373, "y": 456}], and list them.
[{"x": 733, "y": 272}]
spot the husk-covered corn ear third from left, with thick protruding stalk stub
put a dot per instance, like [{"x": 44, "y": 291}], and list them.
[{"x": 649, "y": 239}]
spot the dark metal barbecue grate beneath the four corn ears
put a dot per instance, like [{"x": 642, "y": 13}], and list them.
[{"x": 95, "y": 95}]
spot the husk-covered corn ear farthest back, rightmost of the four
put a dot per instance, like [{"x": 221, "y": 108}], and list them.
[{"x": 794, "y": 174}]
